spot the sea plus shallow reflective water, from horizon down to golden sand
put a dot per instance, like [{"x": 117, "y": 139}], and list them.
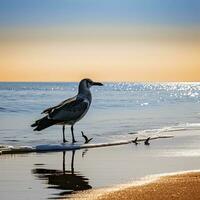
[{"x": 118, "y": 111}]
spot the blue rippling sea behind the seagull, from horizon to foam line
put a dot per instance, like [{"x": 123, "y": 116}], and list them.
[{"x": 117, "y": 108}]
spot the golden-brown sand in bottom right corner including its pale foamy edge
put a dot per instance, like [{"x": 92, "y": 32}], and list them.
[{"x": 183, "y": 185}]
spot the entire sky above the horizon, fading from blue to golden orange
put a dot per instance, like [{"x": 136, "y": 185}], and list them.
[{"x": 108, "y": 40}]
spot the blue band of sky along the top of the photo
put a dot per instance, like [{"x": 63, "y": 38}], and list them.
[{"x": 63, "y": 12}]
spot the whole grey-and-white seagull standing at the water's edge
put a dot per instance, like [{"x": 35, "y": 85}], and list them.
[{"x": 69, "y": 111}]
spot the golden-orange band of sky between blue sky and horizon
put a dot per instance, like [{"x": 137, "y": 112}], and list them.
[{"x": 139, "y": 54}]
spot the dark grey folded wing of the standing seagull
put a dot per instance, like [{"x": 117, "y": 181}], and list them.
[{"x": 70, "y": 111}]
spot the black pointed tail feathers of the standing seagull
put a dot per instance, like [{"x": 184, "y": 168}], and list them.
[{"x": 43, "y": 123}]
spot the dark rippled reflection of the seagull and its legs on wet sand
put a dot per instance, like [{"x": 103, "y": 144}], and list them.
[{"x": 68, "y": 181}]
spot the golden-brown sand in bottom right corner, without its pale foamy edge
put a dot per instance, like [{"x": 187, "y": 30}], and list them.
[{"x": 180, "y": 187}]
